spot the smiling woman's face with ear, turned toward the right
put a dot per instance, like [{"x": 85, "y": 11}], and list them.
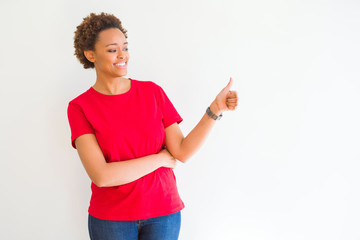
[{"x": 111, "y": 55}]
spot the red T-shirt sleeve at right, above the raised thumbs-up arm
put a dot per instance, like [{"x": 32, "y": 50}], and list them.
[{"x": 169, "y": 113}]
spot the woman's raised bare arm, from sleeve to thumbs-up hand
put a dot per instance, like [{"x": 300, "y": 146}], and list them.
[{"x": 184, "y": 147}]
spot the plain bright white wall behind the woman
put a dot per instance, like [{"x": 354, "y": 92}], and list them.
[{"x": 283, "y": 166}]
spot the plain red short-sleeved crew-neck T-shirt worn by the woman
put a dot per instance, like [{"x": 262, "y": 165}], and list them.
[{"x": 128, "y": 126}]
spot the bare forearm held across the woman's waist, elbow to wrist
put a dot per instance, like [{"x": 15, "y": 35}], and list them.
[{"x": 119, "y": 173}]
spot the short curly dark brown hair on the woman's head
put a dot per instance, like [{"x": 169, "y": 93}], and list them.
[{"x": 87, "y": 32}]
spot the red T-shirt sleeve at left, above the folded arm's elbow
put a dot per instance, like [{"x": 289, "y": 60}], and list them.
[{"x": 79, "y": 125}]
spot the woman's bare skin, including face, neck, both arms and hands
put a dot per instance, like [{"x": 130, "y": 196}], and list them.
[{"x": 110, "y": 49}]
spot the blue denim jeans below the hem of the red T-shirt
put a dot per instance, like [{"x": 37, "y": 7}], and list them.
[{"x": 158, "y": 228}]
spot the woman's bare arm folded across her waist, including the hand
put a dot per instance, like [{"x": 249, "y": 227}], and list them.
[{"x": 104, "y": 174}]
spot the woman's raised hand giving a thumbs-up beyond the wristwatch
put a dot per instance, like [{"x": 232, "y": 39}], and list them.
[{"x": 226, "y": 100}]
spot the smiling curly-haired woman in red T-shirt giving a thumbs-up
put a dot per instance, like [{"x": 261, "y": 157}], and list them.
[{"x": 118, "y": 127}]
